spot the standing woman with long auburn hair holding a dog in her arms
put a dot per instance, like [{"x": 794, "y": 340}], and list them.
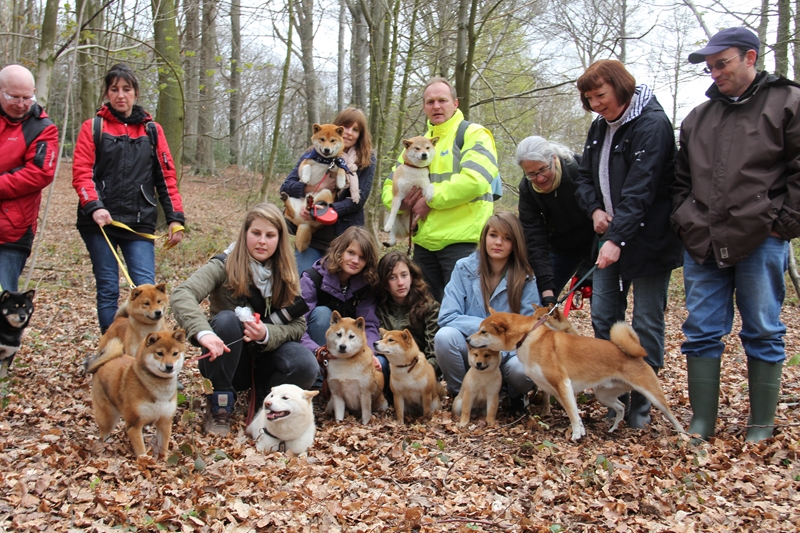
[{"x": 361, "y": 162}]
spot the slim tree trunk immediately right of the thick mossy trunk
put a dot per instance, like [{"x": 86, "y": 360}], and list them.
[{"x": 191, "y": 77}]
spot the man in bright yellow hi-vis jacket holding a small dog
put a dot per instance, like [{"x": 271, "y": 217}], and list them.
[{"x": 462, "y": 174}]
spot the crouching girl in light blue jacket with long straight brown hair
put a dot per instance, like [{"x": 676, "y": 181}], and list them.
[{"x": 496, "y": 275}]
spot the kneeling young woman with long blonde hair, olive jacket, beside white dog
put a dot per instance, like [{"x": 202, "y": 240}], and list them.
[{"x": 257, "y": 271}]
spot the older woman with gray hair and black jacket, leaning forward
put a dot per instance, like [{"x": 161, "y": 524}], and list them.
[{"x": 558, "y": 233}]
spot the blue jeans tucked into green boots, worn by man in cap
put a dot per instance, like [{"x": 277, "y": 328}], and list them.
[{"x": 759, "y": 286}]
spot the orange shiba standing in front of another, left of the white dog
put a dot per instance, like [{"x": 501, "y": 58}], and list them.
[{"x": 142, "y": 389}]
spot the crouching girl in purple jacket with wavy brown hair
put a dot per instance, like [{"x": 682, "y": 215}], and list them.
[{"x": 344, "y": 280}]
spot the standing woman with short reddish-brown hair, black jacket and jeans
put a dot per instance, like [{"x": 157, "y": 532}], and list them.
[{"x": 624, "y": 184}]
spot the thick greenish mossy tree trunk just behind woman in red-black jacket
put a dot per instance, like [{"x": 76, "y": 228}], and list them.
[{"x": 169, "y": 111}]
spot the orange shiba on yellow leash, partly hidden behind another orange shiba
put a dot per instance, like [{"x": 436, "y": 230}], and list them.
[{"x": 143, "y": 313}]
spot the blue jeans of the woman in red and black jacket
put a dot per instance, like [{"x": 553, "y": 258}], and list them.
[{"x": 140, "y": 260}]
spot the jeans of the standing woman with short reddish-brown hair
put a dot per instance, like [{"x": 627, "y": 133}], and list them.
[{"x": 610, "y": 302}]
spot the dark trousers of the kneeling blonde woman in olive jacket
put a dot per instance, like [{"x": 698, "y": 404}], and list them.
[{"x": 247, "y": 363}]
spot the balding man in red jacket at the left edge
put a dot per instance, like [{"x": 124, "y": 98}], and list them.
[{"x": 28, "y": 151}]
